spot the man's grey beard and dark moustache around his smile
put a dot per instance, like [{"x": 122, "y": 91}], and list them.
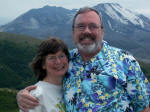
[{"x": 92, "y": 48}]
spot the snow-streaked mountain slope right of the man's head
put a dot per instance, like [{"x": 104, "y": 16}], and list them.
[{"x": 126, "y": 29}]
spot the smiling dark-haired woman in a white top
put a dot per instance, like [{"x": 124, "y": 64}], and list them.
[{"x": 50, "y": 65}]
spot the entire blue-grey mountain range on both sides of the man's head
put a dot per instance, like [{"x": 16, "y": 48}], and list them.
[{"x": 123, "y": 28}]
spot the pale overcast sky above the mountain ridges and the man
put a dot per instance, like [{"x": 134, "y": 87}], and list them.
[{"x": 13, "y": 8}]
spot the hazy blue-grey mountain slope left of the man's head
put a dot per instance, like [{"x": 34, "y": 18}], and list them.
[{"x": 43, "y": 22}]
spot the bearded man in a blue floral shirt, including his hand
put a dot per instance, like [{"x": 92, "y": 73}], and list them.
[{"x": 101, "y": 78}]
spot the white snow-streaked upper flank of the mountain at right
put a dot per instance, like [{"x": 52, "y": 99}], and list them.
[{"x": 124, "y": 16}]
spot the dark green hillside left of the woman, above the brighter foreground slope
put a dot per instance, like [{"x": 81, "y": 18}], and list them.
[{"x": 16, "y": 51}]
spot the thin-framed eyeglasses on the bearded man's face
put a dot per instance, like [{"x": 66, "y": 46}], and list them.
[{"x": 82, "y": 27}]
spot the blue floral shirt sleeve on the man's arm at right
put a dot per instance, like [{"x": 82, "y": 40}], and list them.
[{"x": 138, "y": 87}]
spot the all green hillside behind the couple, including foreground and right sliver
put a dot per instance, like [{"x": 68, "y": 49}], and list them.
[{"x": 16, "y": 51}]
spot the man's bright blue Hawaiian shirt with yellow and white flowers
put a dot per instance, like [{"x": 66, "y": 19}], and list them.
[{"x": 111, "y": 81}]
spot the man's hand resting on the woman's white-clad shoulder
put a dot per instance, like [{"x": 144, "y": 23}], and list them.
[{"x": 25, "y": 100}]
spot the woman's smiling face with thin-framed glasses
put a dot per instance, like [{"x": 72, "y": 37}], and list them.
[{"x": 56, "y": 64}]
